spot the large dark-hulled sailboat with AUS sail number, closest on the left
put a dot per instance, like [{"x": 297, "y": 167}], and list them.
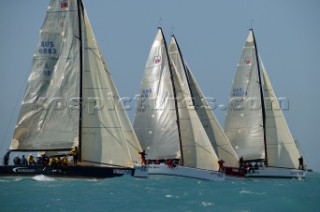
[{"x": 71, "y": 101}]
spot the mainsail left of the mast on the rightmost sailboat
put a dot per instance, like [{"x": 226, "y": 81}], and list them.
[{"x": 244, "y": 121}]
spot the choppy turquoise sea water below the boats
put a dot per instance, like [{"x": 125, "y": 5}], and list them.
[{"x": 41, "y": 193}]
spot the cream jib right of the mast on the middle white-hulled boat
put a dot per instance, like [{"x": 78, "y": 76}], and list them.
[{"x": 195, "y": 144}]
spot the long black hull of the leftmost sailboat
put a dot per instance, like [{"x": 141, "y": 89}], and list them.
[{"x": 69, "y": 172}]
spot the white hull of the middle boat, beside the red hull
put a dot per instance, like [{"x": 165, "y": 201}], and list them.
[{"x": 182, "y": 171}]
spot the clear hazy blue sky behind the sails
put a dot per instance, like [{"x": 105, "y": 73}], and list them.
[{"x": 210, "y": 33}]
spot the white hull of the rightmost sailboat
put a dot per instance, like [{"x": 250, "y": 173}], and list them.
[{"x": 269, "y": 172}]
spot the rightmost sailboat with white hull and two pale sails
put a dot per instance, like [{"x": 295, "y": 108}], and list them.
[{"x": 255, "y": 124}]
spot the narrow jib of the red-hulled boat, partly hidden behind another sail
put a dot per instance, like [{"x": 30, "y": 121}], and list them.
[{"x": 217, "y": 137}]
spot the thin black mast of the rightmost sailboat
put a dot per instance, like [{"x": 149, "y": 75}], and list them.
[{"x": 262, "y": 99}]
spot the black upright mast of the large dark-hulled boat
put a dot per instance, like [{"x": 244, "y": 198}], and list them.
[{"x": 80, "y": 14}]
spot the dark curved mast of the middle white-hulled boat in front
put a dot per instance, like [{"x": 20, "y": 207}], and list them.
[{"x": 174, "y": 94}]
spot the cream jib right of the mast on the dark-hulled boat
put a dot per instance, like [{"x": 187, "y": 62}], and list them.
[{"x": 107, "y": 136}]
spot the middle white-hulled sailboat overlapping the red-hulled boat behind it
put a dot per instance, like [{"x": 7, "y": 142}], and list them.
[{"x": 167, "y": 126}]
